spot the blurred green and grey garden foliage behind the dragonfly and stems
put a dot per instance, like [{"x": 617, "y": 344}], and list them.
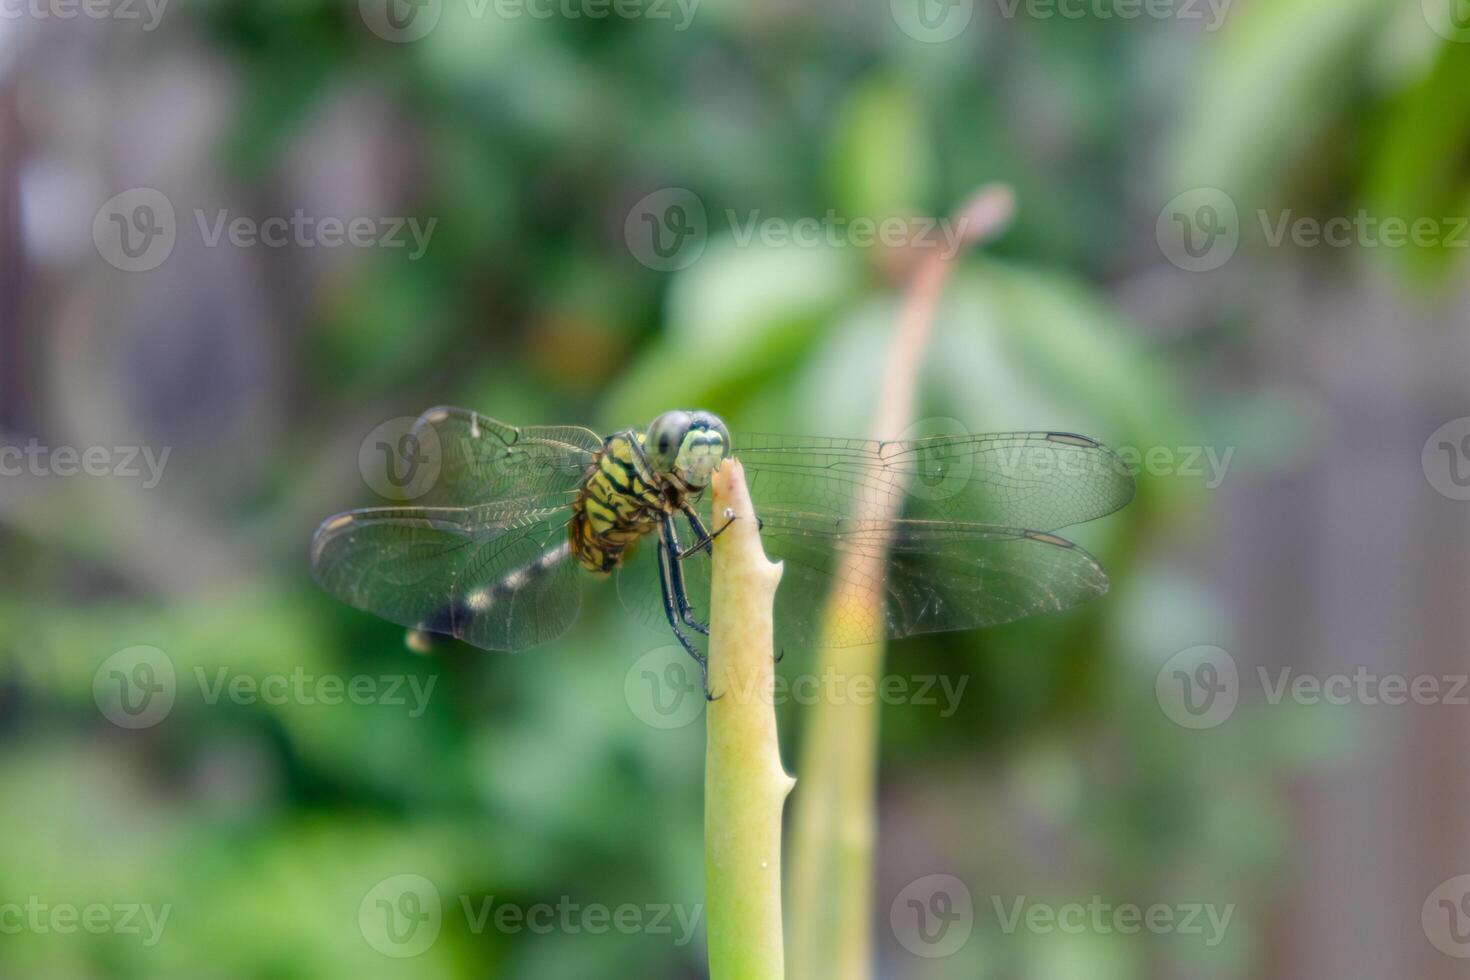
[{"x": 267, "y": 828}]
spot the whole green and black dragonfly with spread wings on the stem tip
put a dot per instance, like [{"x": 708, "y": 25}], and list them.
[{"x": 496, "y": 549}]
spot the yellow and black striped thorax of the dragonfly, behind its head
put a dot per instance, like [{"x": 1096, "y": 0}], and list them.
[{"x": 618, "y": 506}]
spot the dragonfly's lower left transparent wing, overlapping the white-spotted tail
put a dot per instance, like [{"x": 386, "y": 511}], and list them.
[{"x": 498, "y": 580}]
